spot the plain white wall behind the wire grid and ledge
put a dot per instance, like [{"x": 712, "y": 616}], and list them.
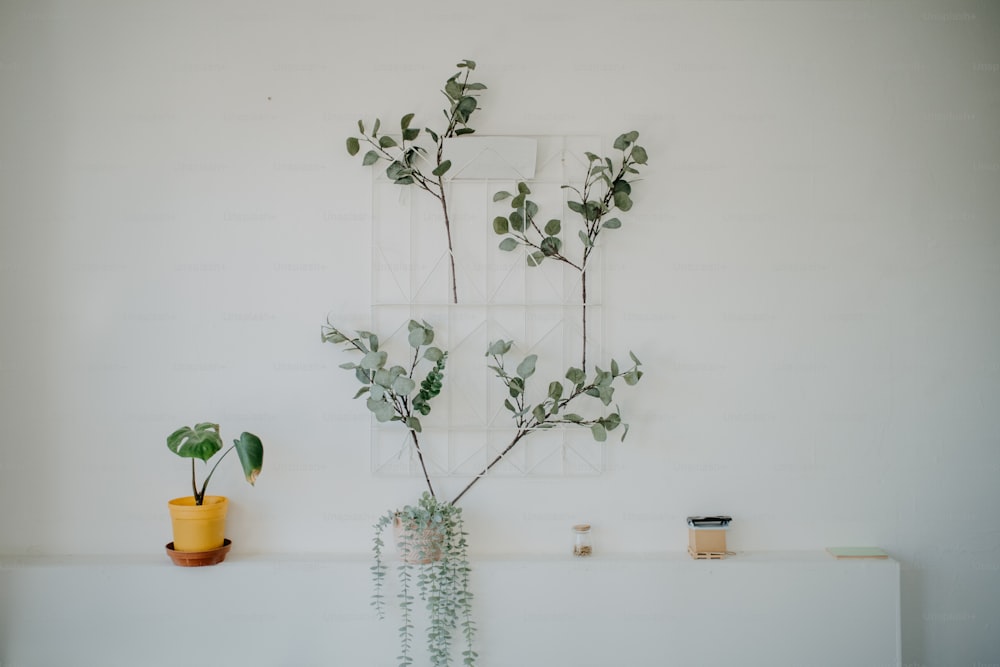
[{"x": 810, "y": 273}]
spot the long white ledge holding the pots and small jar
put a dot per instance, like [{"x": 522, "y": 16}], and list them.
[{"x": 755, "y": 608}]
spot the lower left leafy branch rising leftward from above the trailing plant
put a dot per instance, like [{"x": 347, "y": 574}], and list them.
[{"x": 391, "y": 390}]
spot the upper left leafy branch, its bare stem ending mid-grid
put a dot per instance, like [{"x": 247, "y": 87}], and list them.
[{"x": 404, "y": 155}]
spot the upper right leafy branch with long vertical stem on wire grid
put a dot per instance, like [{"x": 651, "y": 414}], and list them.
[{"x": 606, "y": 188}]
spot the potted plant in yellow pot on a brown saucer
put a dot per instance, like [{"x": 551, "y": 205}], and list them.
[{"x": 199, "y": 520}]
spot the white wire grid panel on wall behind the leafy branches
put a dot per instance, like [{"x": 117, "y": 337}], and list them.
[{"x": 499, "y": 296}]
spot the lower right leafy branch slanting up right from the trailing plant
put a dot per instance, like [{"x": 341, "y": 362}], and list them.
[{"x": 551, "y": 411}]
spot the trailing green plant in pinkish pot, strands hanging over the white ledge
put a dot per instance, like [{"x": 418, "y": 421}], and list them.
[{"x": 434, "y": 567}]
